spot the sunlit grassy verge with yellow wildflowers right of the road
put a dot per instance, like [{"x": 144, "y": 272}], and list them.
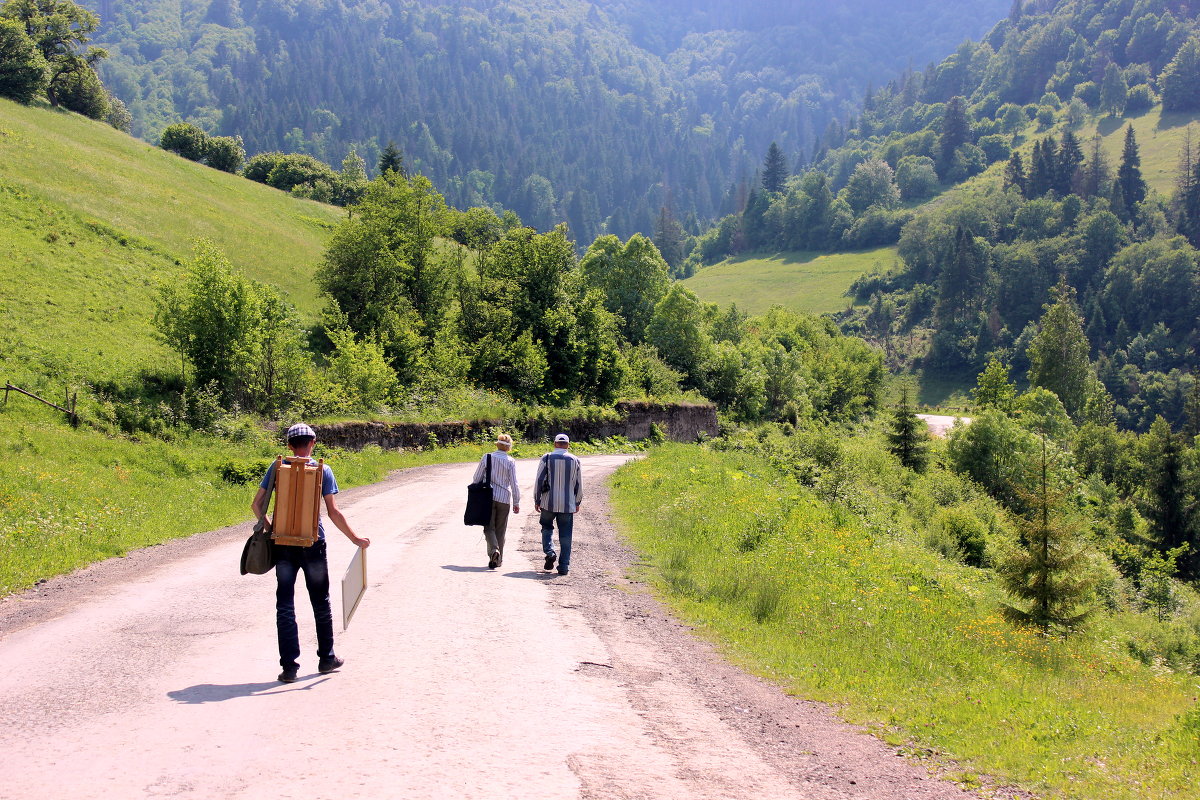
[{"x": 830, "y": 592}]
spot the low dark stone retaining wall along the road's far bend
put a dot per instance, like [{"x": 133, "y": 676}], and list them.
[{"x": 679, "y": 422}]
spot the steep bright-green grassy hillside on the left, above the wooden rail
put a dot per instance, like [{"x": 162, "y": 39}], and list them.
[{"x": 92, "y": 221}]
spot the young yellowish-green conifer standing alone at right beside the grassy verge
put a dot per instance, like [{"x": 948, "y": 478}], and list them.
[{"x": 1049, "y": 572}]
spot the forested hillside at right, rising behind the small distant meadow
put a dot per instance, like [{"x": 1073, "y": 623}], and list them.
[{"x": 1040, "y": 204}]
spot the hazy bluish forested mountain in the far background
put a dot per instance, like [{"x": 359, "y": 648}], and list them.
[{"x": 597, "y": 113}]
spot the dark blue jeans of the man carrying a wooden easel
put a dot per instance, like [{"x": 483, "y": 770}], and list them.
[{"x": 289, "y": 563}]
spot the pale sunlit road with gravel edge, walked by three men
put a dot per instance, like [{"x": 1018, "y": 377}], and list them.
[{"x": 153, "y": 677}]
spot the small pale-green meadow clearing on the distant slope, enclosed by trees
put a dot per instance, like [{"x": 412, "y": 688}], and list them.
[{"x": 801, "y": 281}]
